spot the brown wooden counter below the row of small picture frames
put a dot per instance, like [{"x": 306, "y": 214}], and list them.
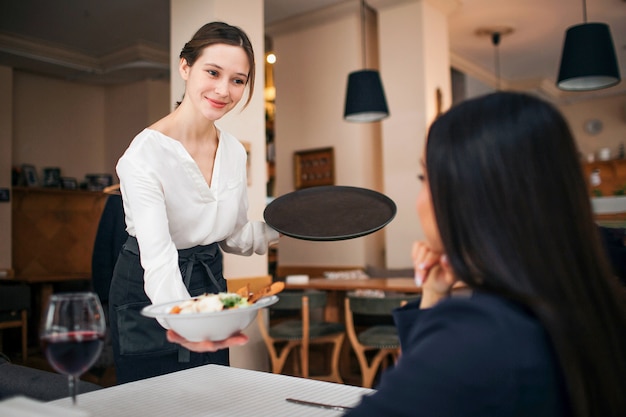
[{"x": 54, "y": 231}]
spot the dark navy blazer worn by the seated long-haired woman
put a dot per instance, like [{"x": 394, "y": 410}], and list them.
[{"x": 476, "y": 355}]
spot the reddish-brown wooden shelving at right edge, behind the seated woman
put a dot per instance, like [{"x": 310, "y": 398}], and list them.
[{"x": 606, "y": 178}]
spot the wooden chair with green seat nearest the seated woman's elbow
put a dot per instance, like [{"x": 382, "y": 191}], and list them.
[{"x": 373, "y": 345}]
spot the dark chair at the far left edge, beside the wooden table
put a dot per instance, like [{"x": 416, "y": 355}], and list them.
[{"x": 14, "y": 308}]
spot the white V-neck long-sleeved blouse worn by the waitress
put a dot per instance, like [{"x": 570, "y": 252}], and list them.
[{"x": 168, "y": 206}]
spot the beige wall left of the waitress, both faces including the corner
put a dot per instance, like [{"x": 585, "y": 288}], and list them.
[{"x": 83, "y": 128}]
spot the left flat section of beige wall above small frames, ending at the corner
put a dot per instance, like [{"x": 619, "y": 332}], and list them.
[{"x": 64, "y": 130}]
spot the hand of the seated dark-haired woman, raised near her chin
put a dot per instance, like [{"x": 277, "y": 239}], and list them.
[{"x": 433, "y": 273}]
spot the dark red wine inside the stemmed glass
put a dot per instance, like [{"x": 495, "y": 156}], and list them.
[{"x": 72, "y": 353}]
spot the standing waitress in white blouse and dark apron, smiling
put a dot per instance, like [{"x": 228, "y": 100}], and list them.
[{"x": 183, "y": 183}]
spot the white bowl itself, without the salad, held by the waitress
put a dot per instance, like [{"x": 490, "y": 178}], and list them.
[{"x": 214, "y": 326}]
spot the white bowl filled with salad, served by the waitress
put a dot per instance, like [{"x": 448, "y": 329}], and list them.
[{"x": 210, "y": 316}]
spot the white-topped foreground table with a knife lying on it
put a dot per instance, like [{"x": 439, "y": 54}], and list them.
[{"x": 215, "y": 390}]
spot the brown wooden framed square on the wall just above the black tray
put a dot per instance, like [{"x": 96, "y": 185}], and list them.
[{"x": 314, "y": 167}]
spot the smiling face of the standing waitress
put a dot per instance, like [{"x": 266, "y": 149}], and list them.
[{"x": 217, "y": 80}]
